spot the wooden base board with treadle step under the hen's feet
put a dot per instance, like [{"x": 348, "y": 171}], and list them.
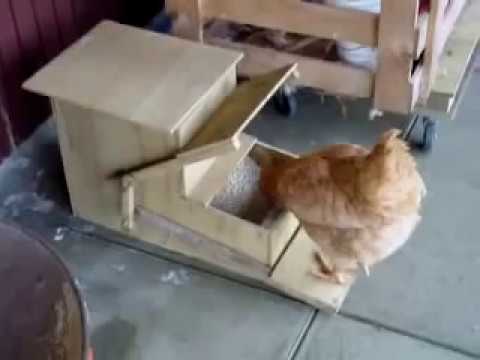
[{"x": 291, "y": 276}]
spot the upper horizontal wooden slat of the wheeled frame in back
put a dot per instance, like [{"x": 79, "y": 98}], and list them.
[{"x": 298, "y": 17}]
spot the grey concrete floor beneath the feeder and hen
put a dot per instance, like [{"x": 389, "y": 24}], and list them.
[{"x": 424, "y": 303}]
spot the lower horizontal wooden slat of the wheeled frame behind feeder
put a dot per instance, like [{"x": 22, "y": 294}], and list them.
[{"x": 332, "y": 77}]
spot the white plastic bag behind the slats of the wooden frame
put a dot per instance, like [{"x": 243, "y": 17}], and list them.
[{"x": 352, "y": 53}]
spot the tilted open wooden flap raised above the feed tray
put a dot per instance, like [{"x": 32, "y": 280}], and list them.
[{"x": 240, "y": 107}]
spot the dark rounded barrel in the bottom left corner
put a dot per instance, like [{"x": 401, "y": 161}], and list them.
[{"x": 41, "y": 312}]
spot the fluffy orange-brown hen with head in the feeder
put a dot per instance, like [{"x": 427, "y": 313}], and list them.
[{"x": 358, "y": 206}]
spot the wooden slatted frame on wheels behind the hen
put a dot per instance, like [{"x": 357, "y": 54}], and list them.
[{"x": 409, "y": 44}]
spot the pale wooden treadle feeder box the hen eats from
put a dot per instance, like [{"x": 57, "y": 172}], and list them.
[{"x": 151, "y": 130}]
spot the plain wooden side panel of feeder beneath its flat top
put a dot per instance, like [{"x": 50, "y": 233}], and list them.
[{"x": 92, "y": 155}]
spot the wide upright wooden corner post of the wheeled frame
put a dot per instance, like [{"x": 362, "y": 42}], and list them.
[{"x": 397, "y": 50}]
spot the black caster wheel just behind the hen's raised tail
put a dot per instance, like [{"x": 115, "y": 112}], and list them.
[{"x": 426, "y": 136}]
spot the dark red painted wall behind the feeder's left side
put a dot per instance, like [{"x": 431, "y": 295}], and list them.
[{"x": 34, "y": 31}]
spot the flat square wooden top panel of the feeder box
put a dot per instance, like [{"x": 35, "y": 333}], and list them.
[{"x": 136, "y": 75}]
